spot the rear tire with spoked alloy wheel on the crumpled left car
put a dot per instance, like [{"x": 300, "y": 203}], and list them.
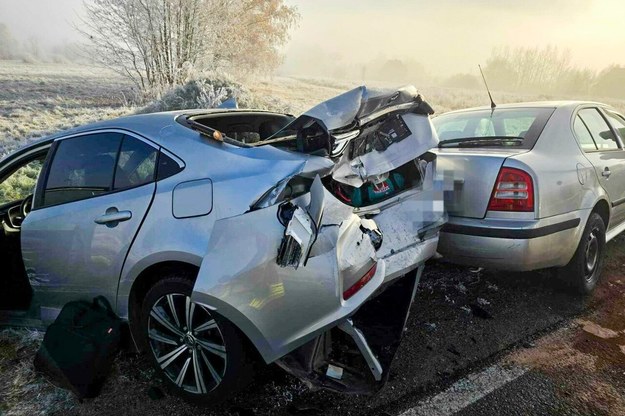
[{"x": 205, "y": 362}]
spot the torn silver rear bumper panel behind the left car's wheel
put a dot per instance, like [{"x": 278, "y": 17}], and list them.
[{"x": 242, "y": 279}]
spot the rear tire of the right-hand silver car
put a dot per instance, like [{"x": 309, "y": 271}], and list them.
[{"x": 583, "y": 272}]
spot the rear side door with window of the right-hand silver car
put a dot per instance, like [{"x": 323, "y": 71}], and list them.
[{"x": 605, "y": 151}]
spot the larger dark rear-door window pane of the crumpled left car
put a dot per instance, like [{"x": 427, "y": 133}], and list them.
[{"x": 82, "y": 167}]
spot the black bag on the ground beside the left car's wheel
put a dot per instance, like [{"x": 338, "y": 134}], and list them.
[{"x": 79, "y": 347}]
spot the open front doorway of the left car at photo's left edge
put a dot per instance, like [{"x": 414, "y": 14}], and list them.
[{"x": 16, "y": 191}]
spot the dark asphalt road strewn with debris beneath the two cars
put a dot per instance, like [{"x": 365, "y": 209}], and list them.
[{"x": 532, "y": 346}]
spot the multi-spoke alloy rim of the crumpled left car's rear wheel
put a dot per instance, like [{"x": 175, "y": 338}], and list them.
[{"x": 187, "y": 343}]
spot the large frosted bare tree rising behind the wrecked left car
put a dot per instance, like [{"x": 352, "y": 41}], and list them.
[{"x": 156, "y": 43}]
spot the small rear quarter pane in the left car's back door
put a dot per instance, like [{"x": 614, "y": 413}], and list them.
[{"x": 136, "y": 164}]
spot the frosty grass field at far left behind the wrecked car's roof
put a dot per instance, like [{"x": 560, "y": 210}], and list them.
[{"x": 37, "y": 99}]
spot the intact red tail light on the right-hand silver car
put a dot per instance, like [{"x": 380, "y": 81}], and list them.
[{"x": 513, "y": 191}]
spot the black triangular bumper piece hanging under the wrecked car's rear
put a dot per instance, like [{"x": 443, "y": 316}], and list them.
[{"x": 356, "y": 356}]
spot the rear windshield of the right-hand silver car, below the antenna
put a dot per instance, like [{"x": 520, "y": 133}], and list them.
[{"x": 502, "y": 128}]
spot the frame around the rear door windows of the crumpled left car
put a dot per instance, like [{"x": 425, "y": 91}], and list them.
[{"x": 45, "y": 171}]
